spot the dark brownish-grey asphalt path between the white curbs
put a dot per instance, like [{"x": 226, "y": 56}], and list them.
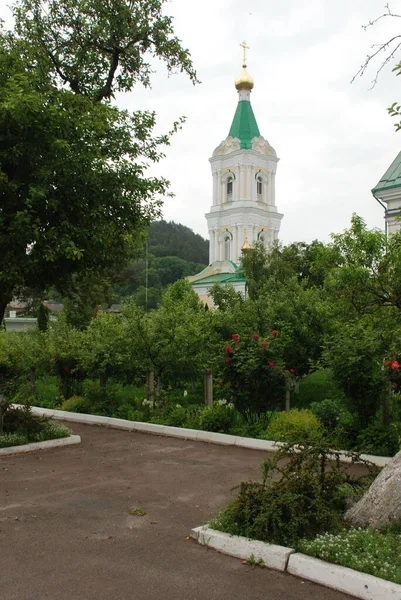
[{"x": 66, "y": 532}]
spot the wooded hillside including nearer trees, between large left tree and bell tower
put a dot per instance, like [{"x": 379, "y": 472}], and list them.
[{"x": 174, "y": 252}]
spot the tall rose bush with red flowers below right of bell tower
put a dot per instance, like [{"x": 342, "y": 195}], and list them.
[{"x": 252, "y": 374}]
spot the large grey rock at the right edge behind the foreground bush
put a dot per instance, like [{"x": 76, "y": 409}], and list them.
[{"x": 381, "y": 504}]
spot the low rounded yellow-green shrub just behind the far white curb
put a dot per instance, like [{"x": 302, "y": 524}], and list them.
[{"x": 294, "y": 426}]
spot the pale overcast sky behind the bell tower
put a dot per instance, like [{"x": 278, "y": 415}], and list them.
[{"x": 334, "y": 139}]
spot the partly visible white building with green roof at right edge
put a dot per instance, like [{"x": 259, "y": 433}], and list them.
[{"x": 388, "y": 193}]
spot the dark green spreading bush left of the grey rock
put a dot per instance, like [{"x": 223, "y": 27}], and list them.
[{"x": 303, "y": 502}]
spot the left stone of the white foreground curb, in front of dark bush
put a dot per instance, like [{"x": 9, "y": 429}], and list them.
[{"x": 269, "y": 555}]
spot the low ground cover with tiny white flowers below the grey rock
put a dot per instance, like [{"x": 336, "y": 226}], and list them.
[{"x": 367, "y": 550}]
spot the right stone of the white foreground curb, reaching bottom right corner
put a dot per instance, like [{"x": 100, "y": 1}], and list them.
[{"x": 342, "y": 579}]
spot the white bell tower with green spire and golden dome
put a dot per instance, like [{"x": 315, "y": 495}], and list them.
[{"x": 243, "y": 209}]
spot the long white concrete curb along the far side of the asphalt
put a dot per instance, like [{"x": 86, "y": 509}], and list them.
[{"x": 181, "y": 432}]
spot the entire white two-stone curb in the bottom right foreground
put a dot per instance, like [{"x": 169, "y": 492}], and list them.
[{"x": 357, "y": 584}]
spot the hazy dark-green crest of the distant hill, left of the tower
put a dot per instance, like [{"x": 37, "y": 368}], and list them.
[{"x": 174, "y": 239}]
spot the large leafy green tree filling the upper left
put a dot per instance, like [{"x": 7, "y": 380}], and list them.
[{"x": 74, "y": 196}]
